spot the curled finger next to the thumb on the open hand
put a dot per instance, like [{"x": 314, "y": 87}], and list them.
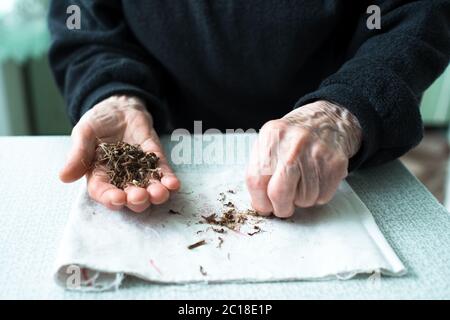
[{"x": 103, "y": 192}]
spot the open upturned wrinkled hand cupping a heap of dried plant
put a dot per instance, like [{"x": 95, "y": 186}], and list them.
[{"x": 118, "y": 118}]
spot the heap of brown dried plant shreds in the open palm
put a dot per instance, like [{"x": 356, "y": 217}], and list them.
[{"x": 127, "y": 165}]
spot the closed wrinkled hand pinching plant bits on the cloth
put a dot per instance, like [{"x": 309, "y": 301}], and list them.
[{"x": 300, "y": 159}]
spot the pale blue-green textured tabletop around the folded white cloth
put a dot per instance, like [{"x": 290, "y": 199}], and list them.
[{"x": 34, "y": 207}]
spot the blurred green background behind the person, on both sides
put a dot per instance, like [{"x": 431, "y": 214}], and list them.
[{"x": 30, "y": 104}]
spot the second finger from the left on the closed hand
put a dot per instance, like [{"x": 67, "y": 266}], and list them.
[{"x": 282, "y": 189}]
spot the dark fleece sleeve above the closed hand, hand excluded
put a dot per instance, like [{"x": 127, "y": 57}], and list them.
[{"x": 385, "y": 74}]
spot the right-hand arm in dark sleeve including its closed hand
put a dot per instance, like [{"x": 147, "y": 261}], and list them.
[{"x": 372, "y": 101}]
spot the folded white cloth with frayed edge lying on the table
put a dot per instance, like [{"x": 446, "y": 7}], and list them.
[{"x": 183, "y": 241}]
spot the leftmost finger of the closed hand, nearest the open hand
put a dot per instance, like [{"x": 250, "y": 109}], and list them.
[{"x": 257, "y": 184}]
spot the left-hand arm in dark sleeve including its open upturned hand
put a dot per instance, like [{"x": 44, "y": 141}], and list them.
[{"x": 109, "y": 83}]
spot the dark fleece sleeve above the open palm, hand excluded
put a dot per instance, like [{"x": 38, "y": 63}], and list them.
[{"x": 100, "y": 59}]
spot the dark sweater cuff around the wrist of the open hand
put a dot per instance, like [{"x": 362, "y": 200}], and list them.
[{"x": 152, "y": 103}]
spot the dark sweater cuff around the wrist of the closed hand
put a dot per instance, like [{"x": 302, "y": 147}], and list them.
[{"x": 344, "y": 96}]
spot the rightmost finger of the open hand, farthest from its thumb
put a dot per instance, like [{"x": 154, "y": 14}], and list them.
[{"x": 169, "y": 179}]
